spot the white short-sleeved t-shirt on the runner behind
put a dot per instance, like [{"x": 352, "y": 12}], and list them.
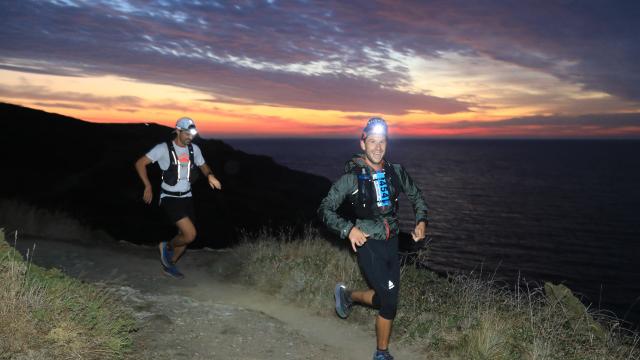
[{"x": 160, "y": 153}]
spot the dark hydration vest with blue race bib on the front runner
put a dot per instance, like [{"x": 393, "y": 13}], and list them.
[{"x": 376, "y": 194}]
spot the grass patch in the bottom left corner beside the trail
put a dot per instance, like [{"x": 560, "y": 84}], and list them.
[{"x": 47, "y": 315}]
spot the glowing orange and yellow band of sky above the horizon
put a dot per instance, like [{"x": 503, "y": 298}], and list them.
[{"x": 111, "y": 99}]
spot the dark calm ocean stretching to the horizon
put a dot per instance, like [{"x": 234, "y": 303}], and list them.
[{"x": 566, "y": 211}]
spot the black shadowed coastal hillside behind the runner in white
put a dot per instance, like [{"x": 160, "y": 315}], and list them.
[{"x": 86, "y": 171}]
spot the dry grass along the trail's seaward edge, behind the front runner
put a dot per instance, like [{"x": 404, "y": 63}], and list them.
[{"x": 453, "y": 317}]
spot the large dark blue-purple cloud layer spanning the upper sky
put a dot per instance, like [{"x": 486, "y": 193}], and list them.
[{"x": 241, "y": 51}]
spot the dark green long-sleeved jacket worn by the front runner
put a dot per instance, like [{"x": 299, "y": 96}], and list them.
[{"x": 376, "y": 228}]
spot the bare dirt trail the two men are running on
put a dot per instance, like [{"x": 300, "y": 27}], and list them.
[{"x": 203, "y": 316}]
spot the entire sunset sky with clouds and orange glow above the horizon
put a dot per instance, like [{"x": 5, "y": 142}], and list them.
[{"x": 321, "y": 68}]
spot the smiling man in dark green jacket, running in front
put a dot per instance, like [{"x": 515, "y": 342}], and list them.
[{"x": 372, "y": 185}]
